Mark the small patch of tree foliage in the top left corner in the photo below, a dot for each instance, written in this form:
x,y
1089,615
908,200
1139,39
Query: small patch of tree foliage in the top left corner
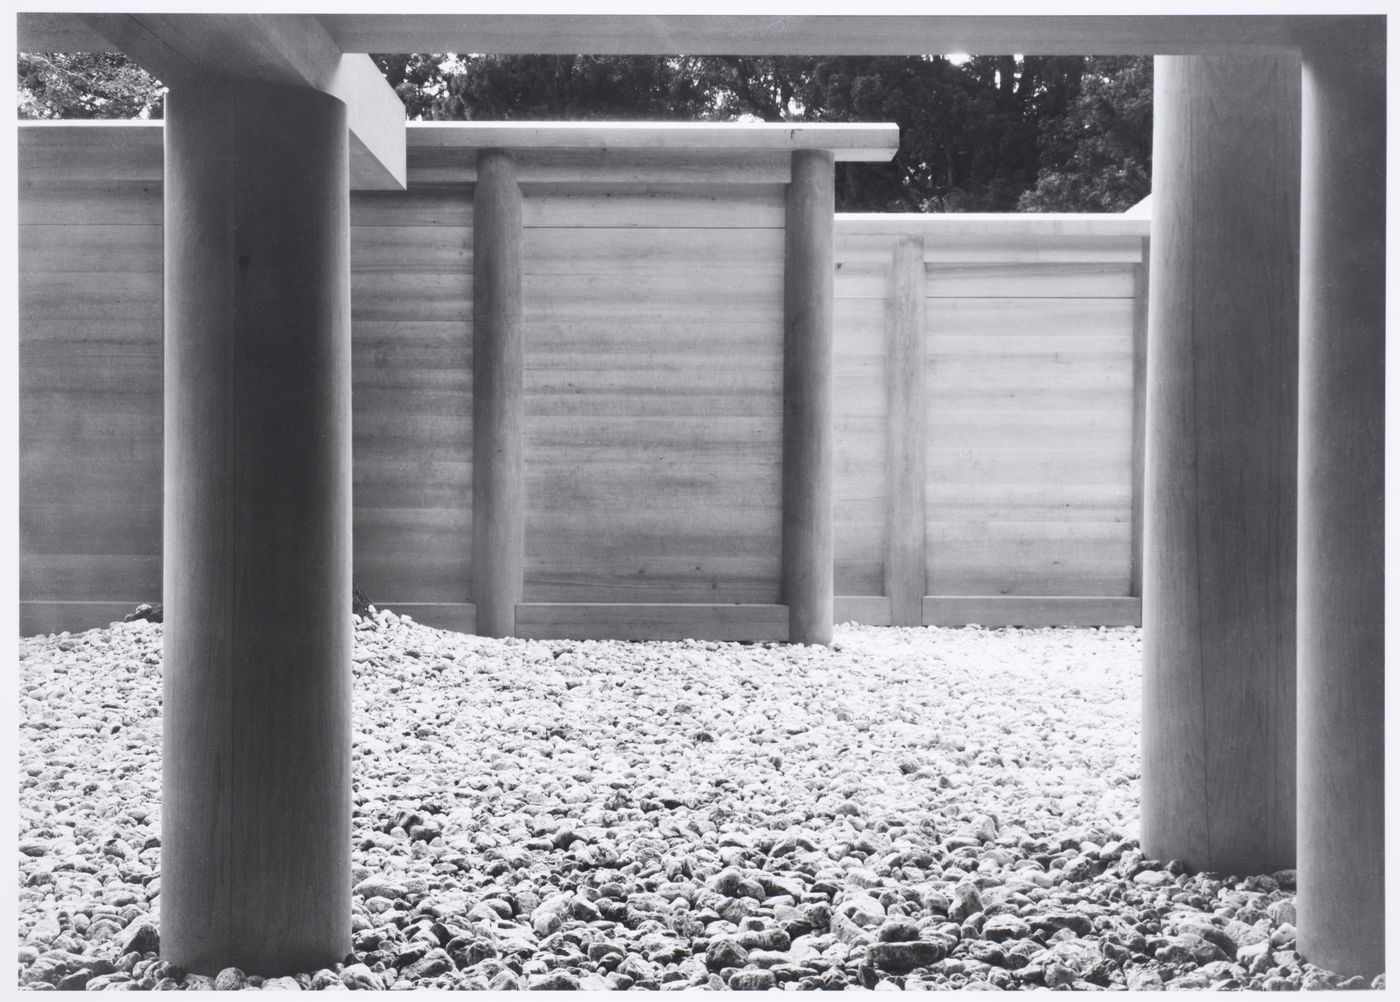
x,y
86,86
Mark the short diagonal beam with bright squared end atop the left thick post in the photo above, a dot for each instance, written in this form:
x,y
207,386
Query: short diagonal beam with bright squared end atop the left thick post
x,y
283,50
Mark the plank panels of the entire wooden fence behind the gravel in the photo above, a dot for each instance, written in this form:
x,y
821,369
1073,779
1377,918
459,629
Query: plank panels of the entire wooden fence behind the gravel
x,y
988,475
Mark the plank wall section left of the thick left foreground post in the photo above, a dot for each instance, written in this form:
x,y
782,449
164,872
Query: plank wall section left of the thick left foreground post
x,y
90,377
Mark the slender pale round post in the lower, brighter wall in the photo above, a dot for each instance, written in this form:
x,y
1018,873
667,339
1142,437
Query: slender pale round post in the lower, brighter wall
x,y
905,457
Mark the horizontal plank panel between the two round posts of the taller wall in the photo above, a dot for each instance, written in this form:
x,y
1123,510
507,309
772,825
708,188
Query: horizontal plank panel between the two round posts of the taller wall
x,y
653,393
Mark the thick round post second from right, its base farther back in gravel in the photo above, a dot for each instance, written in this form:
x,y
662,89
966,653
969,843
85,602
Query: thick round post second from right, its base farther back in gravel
x,y
1219,784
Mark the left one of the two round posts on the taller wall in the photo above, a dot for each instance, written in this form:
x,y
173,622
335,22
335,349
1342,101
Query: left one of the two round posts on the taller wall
x,y
498,397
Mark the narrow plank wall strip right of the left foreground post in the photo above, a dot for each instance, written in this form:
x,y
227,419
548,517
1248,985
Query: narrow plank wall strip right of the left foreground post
x,y
412,398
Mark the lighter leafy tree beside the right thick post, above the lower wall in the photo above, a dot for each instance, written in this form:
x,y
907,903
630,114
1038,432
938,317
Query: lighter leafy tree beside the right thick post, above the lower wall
x,y
1098,156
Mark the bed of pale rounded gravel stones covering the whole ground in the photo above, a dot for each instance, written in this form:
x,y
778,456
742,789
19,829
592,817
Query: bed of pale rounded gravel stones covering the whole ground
x,y
905,810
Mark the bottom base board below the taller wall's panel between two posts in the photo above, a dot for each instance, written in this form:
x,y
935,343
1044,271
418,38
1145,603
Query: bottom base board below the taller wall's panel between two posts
x,y
598,621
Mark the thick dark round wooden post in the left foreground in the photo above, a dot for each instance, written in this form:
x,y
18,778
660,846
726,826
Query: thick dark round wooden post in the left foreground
x,y
255,853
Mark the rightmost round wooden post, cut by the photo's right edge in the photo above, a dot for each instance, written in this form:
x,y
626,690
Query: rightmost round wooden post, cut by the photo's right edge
x,y
1342,503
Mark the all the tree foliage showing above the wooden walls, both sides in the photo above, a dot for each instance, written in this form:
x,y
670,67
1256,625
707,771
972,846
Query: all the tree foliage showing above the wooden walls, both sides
x,y
985,134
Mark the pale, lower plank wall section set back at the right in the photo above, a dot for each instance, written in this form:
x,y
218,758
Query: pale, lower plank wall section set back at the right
x,y
1030,416
